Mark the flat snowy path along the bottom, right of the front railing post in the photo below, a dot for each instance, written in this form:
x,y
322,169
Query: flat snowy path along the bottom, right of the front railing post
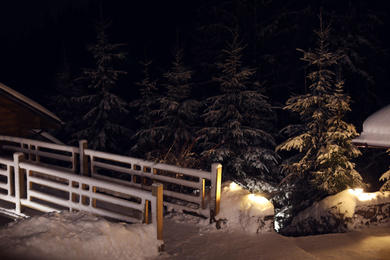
x,y
184,240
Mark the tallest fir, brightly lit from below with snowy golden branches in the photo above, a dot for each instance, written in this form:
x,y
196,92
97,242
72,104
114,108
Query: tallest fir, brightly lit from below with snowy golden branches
x,y
325,146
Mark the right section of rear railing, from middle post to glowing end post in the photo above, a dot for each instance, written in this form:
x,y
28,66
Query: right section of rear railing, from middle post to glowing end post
x,y
185,189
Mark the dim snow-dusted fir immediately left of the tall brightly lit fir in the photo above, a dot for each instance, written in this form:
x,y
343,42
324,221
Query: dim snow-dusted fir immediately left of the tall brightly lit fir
x,y
236,121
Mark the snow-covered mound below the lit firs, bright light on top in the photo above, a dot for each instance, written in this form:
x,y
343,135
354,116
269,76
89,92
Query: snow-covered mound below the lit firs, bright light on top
x,y
347,210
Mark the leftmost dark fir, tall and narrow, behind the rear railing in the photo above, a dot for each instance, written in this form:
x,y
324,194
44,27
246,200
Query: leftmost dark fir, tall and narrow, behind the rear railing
x,y
105,111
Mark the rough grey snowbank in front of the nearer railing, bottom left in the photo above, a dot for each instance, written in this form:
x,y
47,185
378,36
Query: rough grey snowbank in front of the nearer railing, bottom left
x,y
69,235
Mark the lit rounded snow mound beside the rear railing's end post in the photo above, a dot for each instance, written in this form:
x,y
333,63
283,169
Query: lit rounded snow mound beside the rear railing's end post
x,y
241,209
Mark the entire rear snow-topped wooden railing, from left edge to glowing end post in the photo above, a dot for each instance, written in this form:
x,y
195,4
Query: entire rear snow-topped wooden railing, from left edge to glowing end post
x,y
187,190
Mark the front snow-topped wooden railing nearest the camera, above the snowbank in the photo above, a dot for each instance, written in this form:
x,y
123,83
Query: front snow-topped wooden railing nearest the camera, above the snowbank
x,y
28,184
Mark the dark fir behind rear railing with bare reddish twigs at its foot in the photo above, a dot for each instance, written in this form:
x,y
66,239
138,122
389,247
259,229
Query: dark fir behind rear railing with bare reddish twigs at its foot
x,y
175,130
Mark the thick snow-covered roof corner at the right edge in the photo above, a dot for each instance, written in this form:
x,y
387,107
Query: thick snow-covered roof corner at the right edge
x,y
376,130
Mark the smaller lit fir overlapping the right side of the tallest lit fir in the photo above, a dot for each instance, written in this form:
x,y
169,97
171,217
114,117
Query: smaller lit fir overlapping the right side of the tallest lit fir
x,y
336,171
